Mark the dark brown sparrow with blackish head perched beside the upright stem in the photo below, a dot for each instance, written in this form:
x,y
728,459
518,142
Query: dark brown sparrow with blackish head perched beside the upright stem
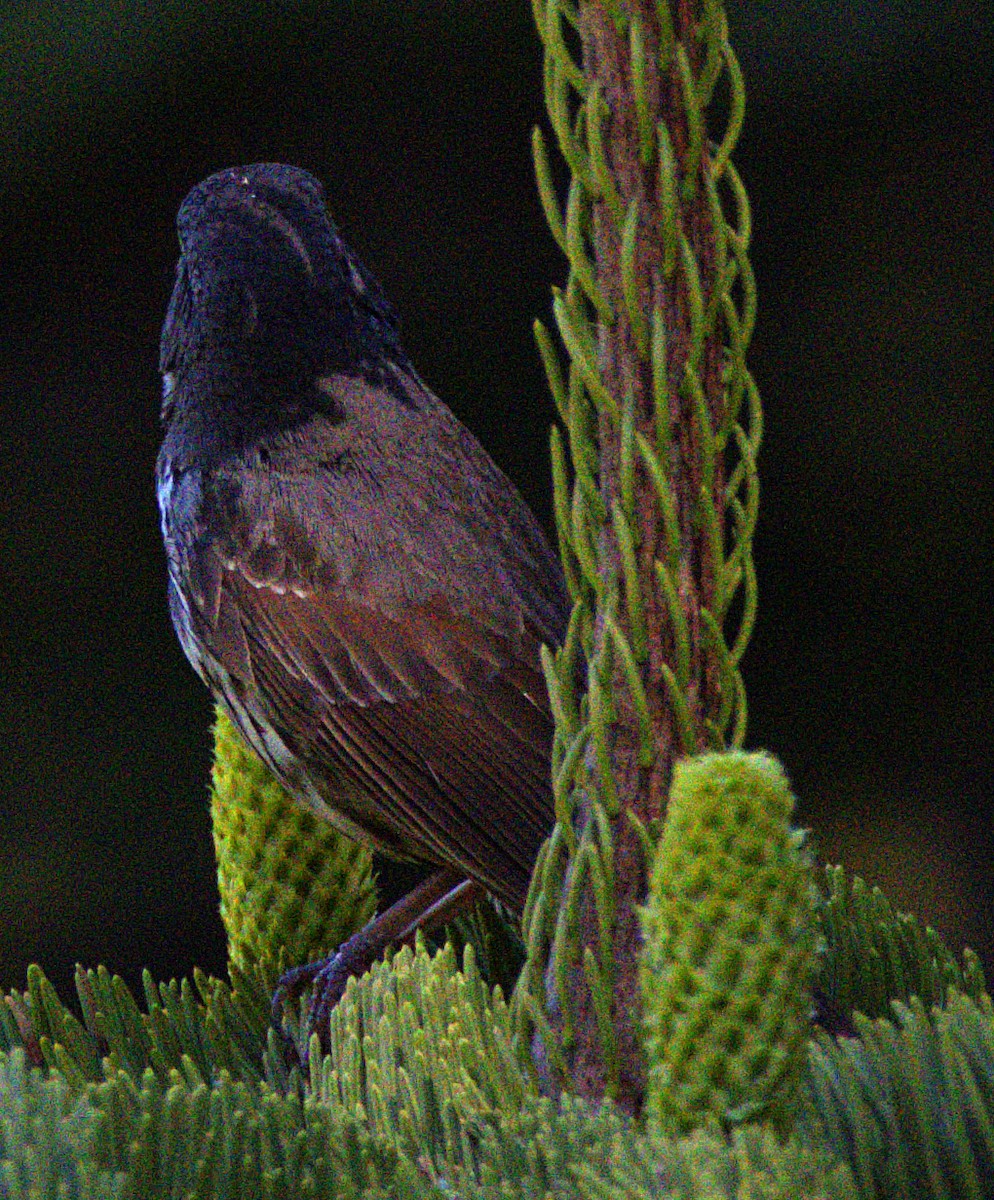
x,y
350,573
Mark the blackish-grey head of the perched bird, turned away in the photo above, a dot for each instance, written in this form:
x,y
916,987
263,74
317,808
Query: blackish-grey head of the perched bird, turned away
x,y
265,273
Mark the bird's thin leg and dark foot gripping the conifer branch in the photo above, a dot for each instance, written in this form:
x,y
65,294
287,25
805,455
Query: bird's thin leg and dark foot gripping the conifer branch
x,y
435,902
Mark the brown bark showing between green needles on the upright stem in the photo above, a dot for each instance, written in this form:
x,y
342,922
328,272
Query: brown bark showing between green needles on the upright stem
x,y
643,790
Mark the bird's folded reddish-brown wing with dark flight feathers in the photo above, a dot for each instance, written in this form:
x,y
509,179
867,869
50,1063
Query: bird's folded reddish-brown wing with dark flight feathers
x,y
439,719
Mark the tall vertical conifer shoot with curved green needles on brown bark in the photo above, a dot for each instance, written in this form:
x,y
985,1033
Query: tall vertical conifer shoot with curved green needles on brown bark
x,y
656,491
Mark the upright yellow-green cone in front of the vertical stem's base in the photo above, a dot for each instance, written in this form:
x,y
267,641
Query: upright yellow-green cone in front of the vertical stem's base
x,y
729,949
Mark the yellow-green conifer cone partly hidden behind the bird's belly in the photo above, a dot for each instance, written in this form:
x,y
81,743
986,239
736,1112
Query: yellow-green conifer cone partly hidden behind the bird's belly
x,y
288,879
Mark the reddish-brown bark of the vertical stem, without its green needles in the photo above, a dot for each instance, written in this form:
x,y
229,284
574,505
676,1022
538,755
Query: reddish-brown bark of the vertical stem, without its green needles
x,y
634,284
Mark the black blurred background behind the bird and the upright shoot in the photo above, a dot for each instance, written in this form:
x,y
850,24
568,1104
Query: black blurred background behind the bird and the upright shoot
x,y
869,158
